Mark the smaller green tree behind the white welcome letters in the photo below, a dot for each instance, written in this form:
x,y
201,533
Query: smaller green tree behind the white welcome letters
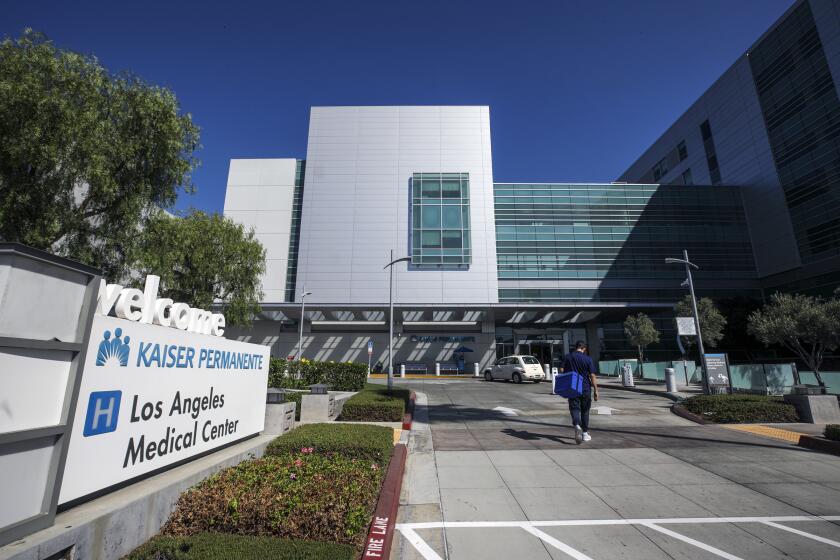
x,y
204,260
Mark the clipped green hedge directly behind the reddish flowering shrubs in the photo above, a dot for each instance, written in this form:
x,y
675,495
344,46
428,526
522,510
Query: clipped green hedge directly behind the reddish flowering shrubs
x,y
351,441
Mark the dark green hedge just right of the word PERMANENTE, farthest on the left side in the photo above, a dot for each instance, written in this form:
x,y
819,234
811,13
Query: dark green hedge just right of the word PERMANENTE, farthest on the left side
x,y
340,376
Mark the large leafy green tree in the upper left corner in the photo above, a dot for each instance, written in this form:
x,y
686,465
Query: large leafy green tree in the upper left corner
x,y
85,155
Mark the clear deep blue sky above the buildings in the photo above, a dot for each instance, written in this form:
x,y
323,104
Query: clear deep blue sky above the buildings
x,y
577,88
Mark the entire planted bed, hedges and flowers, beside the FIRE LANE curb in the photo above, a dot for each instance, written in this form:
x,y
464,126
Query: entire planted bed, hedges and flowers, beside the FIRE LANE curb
x,y
319,482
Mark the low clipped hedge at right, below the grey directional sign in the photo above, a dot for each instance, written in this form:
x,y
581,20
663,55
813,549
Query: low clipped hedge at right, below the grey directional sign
x,y
736,409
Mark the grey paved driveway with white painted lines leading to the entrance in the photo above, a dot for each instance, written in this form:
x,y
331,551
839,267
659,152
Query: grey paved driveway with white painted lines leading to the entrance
x,y
494,472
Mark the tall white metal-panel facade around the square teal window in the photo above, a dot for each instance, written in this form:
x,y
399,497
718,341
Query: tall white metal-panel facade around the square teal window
x,y
356,204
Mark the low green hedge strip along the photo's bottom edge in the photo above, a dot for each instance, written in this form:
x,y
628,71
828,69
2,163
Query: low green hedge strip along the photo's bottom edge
x,y
218,546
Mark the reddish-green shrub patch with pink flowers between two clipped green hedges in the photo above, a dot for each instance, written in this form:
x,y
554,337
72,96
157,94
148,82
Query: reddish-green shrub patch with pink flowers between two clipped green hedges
x,y
299,495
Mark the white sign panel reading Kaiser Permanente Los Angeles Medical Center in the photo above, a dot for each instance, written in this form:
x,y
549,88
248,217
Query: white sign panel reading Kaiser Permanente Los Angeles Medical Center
x,y
152,396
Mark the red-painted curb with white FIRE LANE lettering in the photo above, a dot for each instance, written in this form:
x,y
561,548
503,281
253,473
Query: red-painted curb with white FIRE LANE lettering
x,y
381,532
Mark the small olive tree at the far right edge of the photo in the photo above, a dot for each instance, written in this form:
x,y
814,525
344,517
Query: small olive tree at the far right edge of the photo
x,y
805,325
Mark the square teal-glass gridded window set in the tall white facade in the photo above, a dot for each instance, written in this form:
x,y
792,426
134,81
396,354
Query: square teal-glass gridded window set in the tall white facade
x,y
440,217
